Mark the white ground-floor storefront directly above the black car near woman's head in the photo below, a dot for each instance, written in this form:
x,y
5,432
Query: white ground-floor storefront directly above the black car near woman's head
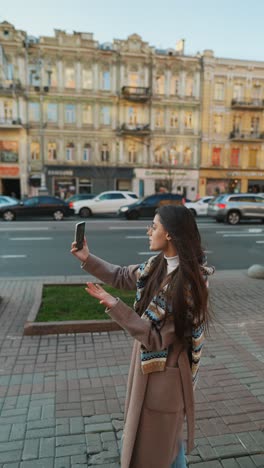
x,y
149,181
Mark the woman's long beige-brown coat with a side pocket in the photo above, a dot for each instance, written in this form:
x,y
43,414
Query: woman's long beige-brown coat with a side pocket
x,y
156,403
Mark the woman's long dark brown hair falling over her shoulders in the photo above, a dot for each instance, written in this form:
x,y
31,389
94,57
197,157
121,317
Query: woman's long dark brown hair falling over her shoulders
x,y
186,292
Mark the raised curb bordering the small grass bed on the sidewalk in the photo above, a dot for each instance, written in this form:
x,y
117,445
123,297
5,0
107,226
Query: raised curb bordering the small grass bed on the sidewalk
x,y
71,326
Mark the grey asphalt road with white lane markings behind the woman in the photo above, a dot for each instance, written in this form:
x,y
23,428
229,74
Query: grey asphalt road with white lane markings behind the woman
x,y
41,248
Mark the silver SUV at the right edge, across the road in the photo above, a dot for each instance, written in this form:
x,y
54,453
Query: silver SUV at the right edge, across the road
x,y
233,207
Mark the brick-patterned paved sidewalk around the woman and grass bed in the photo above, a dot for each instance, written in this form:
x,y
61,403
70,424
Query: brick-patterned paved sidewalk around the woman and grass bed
x,y
62,397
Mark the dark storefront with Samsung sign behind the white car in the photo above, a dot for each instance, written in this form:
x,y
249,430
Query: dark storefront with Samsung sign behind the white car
x,y
63,181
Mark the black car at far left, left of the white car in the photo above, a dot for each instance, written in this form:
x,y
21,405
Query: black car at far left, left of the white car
x,y
43,205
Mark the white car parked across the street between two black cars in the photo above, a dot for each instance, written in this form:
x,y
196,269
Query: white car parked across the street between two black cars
x,y
104,203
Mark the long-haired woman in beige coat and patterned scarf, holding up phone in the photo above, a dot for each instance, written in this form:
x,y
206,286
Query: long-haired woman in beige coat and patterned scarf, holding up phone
x,y
168,322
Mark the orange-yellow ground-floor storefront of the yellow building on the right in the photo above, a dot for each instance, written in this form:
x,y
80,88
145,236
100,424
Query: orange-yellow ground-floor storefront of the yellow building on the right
x,y
216,182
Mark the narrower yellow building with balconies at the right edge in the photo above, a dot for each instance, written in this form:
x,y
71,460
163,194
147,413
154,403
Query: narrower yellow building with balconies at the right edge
x,y
232,126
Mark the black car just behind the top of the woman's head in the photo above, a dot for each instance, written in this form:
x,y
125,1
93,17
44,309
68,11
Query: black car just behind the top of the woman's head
x,y
147,206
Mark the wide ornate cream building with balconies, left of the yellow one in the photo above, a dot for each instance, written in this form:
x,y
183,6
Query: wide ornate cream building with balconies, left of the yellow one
x,y
79,116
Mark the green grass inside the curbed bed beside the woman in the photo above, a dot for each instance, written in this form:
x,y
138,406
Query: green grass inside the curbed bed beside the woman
x,y
61,303
